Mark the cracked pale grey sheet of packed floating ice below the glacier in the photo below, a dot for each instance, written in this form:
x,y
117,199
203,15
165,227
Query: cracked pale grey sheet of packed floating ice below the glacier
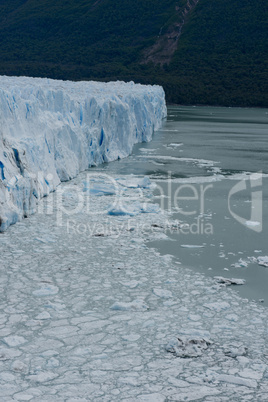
x,y
89,312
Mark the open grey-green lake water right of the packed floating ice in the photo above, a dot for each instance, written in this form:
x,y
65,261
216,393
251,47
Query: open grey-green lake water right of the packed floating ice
x,y
202,153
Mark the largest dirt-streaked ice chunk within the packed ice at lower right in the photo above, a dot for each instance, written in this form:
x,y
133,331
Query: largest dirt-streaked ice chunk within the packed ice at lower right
x,y
188,347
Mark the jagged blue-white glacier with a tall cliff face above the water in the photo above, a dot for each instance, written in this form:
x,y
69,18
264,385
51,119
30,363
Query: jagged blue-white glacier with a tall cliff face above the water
x,y
52,130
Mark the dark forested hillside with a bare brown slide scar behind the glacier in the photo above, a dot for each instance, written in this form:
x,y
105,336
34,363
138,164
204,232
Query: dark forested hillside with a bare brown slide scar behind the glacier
x,y
201,51
